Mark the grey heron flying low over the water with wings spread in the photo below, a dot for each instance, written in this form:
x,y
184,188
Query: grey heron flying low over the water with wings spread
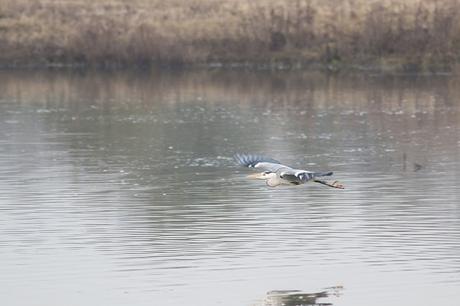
x,y
275,173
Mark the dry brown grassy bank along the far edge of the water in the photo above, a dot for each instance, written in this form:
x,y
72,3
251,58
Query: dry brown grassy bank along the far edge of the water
x,y
394,34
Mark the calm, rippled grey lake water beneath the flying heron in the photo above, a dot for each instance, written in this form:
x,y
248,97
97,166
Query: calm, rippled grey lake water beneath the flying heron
x,y
120,189
